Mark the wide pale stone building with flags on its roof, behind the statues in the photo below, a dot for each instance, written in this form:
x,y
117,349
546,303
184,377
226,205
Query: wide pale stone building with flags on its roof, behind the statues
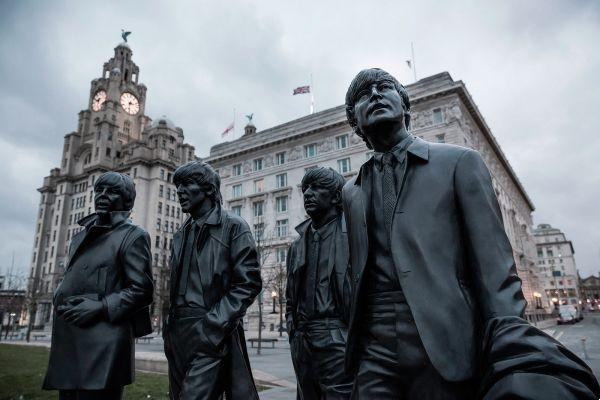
x,y
261,171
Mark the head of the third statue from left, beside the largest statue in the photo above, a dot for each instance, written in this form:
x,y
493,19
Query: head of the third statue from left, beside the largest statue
x,y
322,189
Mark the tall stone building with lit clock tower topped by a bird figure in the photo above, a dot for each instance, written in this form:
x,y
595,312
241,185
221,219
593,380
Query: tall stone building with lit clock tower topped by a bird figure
x,y
113,133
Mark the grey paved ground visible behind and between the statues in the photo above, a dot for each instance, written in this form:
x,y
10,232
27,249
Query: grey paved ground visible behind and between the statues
x,y
273,367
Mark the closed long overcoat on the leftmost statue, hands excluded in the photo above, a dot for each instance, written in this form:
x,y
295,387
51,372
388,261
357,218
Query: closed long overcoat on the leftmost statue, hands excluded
x,y
111,262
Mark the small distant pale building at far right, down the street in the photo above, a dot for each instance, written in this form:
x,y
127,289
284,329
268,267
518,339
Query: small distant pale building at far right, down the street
x,y
556,263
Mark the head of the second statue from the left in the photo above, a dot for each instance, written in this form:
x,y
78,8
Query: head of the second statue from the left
x,y
196,183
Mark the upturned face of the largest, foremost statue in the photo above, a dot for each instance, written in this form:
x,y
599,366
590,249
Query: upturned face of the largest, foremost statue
x,y
379,102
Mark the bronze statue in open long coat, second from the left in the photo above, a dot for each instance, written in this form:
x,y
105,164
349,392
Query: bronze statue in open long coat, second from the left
x,y
215,276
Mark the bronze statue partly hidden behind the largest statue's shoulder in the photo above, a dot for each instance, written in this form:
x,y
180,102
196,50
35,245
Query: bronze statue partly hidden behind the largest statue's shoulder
x,y
317,291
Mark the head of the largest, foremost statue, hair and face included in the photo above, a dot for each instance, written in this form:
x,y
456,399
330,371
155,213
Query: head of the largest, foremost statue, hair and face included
x,y
375,97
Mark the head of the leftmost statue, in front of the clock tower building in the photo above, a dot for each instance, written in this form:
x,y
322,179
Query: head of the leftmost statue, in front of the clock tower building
x,y
113,191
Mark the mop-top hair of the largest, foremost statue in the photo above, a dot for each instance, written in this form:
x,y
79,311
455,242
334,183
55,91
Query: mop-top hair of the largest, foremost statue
x,y
364,79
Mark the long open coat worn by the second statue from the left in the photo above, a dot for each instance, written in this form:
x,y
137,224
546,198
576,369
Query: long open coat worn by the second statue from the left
x,y
231,280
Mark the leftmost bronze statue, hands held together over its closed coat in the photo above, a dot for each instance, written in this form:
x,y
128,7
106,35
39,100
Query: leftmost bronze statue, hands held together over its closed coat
x,y
103,301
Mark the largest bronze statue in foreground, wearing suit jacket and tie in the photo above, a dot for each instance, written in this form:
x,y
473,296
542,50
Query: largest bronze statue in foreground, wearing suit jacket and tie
x,y
433,270
